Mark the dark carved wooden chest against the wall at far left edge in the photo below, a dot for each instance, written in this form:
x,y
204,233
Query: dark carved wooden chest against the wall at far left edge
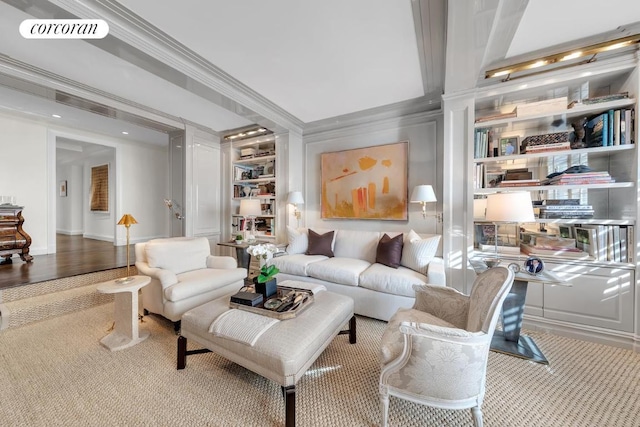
x,y
13,239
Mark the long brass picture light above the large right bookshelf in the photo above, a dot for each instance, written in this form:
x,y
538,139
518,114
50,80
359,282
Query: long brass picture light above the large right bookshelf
x,y
558,58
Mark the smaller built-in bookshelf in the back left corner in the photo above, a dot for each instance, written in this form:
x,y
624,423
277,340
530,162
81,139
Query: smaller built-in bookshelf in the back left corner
x,y
253,172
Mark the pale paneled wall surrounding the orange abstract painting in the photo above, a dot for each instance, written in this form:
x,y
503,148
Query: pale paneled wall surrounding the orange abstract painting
x,y
422,135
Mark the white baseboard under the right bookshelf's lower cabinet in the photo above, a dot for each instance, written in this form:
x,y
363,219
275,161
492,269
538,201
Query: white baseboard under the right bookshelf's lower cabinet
x,y
626,340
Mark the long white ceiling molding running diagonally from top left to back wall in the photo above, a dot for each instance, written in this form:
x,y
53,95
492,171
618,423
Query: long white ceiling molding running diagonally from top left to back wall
x,y
138,33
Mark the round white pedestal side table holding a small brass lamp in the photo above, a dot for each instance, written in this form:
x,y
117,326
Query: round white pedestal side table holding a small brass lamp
x,y
125,332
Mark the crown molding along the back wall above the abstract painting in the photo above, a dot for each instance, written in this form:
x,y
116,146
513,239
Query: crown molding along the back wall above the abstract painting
x,y
429,103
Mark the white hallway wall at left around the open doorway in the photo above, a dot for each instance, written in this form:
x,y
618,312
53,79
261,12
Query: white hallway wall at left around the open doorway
x,y
140,182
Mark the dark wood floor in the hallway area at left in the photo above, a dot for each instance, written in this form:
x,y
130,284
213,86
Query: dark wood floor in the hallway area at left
x,y
75,255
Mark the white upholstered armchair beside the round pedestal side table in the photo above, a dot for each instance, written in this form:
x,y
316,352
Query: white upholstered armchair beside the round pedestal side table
x,y
184,275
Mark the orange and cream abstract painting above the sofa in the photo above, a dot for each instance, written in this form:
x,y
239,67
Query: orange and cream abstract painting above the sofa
x,y
365,183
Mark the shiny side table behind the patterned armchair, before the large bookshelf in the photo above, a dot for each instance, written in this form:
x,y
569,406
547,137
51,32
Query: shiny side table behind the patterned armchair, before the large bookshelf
x,y
509,340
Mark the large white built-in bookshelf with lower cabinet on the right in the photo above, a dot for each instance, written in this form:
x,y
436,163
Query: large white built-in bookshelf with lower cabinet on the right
x,y
575,151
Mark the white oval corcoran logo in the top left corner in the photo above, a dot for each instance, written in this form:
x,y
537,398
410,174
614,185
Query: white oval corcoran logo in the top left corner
x,y
64,29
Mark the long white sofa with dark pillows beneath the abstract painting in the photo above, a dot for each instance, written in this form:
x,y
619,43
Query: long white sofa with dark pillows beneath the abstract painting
x,y
377,290
